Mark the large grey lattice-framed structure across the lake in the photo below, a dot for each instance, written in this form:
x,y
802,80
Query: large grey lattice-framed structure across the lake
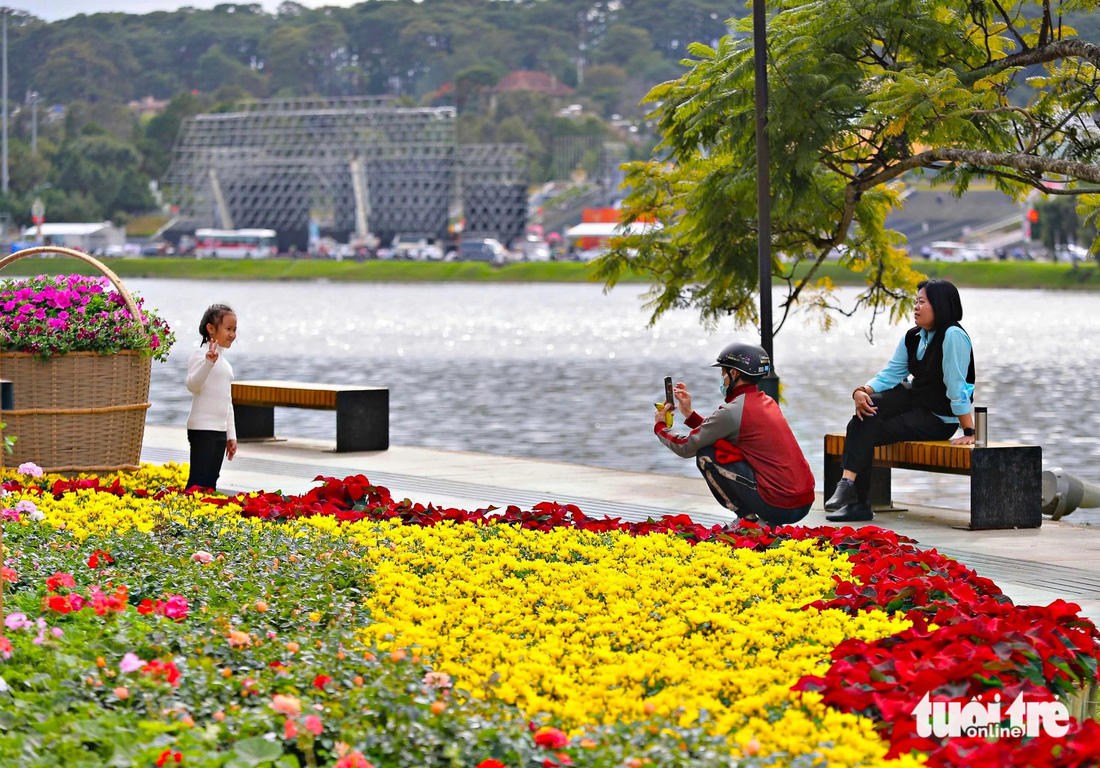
x,y
354,166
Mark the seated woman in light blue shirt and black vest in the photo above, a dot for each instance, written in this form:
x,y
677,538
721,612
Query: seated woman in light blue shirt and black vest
x,y
925,393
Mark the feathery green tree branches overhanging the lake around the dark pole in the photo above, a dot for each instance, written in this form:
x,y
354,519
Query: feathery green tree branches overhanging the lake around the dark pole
x,y
862,93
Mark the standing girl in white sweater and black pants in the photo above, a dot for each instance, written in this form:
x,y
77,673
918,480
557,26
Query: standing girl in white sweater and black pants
x,y
211,429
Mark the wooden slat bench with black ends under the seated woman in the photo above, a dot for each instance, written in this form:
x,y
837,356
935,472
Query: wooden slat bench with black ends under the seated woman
x,y
1006,478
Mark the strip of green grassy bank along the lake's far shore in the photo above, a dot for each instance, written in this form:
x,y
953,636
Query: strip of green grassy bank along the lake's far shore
x,y
984,275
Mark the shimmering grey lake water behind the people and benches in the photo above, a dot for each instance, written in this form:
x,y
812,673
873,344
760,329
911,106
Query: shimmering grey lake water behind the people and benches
x,y
569,374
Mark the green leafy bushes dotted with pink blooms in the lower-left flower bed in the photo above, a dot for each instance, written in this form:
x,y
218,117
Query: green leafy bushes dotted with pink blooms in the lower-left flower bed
x,y
69,699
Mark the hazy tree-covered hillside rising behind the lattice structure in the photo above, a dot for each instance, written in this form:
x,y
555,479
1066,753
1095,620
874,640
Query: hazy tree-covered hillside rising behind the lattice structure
x,y
96,156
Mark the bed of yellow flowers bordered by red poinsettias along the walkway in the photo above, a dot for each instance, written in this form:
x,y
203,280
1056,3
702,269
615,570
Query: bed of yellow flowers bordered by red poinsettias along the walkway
x,y
722,637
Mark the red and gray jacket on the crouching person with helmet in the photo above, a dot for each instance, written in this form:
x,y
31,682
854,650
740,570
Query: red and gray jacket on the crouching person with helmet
x,y
751,427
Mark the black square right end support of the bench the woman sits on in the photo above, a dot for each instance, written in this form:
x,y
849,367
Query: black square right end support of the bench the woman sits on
x,y
1007,488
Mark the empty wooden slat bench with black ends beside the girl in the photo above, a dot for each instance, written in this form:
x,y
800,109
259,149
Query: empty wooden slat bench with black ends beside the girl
x,y
362,412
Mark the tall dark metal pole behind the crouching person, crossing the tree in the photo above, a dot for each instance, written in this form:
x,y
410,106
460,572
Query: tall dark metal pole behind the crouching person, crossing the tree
x,y
771,385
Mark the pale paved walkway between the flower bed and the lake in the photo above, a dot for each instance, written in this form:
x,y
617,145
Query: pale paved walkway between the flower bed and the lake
x,y
1032,567
